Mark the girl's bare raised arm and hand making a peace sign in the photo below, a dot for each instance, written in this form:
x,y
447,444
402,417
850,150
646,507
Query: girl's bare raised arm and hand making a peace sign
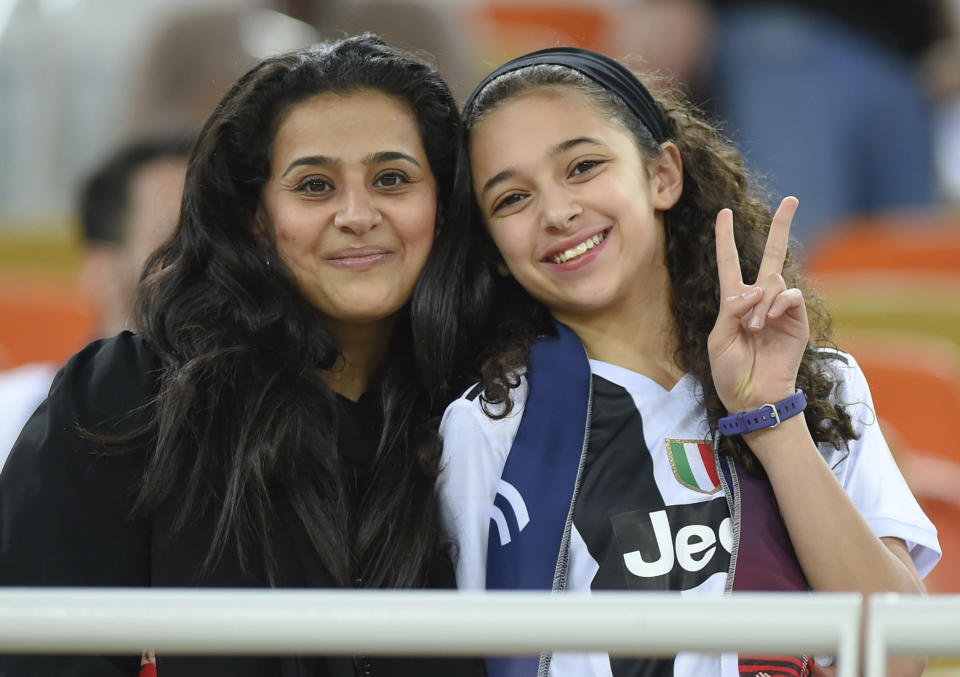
x,y
755,351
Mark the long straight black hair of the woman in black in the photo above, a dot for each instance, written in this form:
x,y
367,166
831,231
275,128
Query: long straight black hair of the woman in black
x,y
243,415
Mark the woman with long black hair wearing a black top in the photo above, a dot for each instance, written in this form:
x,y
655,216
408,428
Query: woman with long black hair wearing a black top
x,y
268,425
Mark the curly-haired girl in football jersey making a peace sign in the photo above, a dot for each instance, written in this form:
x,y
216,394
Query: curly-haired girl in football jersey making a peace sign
x,y
659,408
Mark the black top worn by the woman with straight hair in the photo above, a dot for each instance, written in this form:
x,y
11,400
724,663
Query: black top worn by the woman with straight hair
x,y
64,521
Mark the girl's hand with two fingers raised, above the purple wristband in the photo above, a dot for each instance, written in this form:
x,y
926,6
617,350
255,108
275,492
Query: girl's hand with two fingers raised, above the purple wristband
x,y
761,331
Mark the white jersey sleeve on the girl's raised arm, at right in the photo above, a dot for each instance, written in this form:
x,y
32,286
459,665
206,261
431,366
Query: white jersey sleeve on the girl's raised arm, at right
x,y
871,477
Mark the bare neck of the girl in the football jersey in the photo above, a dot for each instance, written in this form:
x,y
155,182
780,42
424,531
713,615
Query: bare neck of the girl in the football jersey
x,y
642,339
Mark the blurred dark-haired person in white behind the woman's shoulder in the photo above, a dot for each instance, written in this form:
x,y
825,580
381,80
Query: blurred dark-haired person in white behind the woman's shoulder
x,y
127,207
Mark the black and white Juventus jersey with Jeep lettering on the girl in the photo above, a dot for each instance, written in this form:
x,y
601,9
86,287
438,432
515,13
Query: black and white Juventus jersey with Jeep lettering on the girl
x,y
651,513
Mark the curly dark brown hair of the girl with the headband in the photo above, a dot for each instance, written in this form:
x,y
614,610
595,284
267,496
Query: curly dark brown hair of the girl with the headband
x,y
714,177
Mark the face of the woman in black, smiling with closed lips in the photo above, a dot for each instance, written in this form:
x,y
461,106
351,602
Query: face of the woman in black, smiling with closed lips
x,y
352,203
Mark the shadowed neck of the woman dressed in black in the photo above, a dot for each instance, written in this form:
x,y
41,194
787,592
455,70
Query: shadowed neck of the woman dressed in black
x,y
363,349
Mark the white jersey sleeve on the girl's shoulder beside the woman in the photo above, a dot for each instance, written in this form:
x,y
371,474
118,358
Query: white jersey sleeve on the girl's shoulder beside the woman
x,y
475,449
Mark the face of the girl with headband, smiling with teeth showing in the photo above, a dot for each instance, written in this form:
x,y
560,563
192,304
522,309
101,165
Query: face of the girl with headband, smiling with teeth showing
x,y
571,205
